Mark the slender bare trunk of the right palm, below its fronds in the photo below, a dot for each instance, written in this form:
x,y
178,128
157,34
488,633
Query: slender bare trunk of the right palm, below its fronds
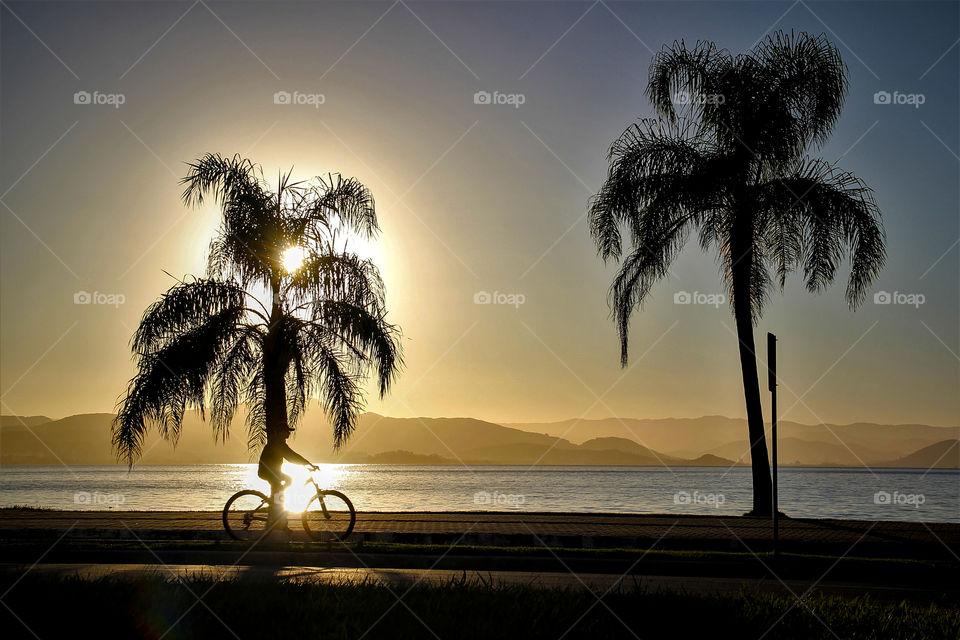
x,y
760,464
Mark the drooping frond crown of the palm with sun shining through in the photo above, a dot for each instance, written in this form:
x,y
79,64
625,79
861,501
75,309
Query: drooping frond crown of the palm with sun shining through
x,y
285,311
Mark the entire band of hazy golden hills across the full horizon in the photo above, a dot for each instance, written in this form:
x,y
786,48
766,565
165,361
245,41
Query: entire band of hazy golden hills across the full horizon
x,y
85,439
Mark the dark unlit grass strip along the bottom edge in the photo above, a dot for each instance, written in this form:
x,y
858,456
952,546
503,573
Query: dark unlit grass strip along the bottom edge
x,y
157,608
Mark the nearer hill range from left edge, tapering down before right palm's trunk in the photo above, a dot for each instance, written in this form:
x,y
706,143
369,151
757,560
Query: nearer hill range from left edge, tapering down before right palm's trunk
x,y
86,439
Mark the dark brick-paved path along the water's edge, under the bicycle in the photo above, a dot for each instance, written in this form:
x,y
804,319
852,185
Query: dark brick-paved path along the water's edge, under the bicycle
x,y
523,529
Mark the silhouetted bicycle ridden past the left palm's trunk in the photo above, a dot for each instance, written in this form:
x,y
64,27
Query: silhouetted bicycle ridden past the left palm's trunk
x,y
328,517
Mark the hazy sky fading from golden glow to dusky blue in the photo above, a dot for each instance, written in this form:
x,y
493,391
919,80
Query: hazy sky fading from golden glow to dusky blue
x,y
471,197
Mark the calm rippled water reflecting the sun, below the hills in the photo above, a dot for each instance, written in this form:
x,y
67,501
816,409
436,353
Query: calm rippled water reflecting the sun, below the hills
x,y
847,493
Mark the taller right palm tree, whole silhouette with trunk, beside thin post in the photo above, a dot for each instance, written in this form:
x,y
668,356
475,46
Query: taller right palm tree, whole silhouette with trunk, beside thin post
x,y
731,163
